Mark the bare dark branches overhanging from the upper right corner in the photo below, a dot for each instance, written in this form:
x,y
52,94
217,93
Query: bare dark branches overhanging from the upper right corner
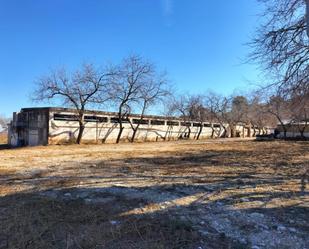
x,y
281,45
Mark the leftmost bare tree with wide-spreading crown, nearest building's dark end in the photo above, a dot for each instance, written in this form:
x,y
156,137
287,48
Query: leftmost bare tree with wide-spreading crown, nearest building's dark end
x,y
76,90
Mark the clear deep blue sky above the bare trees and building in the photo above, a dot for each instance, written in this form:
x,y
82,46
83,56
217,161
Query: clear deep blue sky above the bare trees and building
x,y
201,43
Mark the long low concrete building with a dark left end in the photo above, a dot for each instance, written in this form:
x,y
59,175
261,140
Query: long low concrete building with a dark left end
x,y
47,125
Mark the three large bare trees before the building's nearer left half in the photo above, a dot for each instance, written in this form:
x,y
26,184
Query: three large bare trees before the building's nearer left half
x,y
134,84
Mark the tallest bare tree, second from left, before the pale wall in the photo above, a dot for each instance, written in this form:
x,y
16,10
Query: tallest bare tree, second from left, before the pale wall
x,y
127,85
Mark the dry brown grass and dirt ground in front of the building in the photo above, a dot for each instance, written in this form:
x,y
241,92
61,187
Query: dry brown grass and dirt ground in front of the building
x,y
185,194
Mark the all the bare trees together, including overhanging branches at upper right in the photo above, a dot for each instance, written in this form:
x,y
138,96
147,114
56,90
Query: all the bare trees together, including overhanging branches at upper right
x,y
281,44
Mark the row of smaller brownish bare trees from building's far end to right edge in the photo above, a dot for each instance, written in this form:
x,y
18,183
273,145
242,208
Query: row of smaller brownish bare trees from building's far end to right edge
x,y
256,111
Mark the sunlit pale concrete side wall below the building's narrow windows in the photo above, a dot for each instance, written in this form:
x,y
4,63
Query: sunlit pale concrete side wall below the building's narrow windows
x,y
61,131
